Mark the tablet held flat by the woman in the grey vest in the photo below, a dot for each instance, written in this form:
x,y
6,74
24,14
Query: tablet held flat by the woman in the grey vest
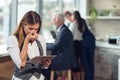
x,y
39,59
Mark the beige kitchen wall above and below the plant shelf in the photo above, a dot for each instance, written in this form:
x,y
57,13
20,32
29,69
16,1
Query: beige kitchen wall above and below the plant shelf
x,y
103,27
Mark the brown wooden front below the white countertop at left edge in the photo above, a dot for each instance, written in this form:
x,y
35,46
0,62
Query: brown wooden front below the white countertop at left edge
x,y
6,68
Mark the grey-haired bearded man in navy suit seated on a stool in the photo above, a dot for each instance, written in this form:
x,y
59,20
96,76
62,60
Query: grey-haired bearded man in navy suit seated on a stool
x,y
62,47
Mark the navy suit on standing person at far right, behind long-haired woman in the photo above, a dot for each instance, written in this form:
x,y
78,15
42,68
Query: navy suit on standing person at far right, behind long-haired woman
x,y
87,55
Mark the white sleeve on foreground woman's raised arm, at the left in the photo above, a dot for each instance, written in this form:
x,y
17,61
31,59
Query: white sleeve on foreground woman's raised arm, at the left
x,y
14,50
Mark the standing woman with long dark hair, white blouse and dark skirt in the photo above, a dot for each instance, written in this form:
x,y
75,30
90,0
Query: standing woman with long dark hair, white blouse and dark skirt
x,y
77,28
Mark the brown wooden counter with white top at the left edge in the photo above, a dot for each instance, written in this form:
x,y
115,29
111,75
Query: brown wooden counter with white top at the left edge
x,y
6,64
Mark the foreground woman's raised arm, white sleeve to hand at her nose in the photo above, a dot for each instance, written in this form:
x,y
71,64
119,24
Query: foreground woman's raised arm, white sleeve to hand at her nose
x,y
19,57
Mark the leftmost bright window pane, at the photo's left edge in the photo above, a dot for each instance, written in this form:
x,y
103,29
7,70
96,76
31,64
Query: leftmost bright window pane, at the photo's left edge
x,y
4,20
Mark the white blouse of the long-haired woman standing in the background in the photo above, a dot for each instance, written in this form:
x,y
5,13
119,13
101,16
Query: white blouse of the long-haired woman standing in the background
x,y
77,35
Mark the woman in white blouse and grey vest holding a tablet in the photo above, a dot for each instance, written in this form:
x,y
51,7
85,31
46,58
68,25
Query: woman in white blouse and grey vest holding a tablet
x,y
26,43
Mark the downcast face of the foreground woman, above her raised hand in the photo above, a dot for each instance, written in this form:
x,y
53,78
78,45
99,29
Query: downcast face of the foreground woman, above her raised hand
x,y
29,28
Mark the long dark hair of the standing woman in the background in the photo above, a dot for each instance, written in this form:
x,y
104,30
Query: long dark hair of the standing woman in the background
x,y
78,18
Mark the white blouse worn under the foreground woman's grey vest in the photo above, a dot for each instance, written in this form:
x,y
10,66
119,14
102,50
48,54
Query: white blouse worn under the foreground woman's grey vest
x,y
33,51
